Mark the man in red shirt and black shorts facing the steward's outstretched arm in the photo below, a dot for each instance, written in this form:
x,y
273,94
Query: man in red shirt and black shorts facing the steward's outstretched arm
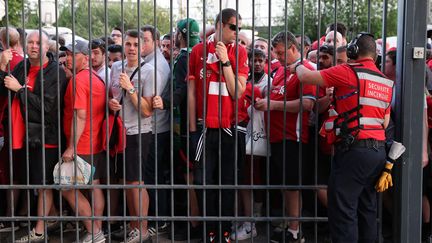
x,y
285,138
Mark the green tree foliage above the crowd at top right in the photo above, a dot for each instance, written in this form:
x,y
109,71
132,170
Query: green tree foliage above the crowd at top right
x,y
355,23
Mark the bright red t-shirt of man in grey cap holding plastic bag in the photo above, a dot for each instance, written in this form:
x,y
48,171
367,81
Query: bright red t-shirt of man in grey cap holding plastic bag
x,y
82,102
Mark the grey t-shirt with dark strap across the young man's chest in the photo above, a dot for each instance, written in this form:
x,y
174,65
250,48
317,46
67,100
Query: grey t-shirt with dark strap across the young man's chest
x,y
131,116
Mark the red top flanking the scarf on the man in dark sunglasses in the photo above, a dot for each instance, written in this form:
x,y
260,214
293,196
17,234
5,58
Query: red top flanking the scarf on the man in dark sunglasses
x,y
196,70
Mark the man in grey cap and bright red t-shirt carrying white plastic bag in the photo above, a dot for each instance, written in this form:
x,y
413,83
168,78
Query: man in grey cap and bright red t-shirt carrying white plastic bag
x,y
84,138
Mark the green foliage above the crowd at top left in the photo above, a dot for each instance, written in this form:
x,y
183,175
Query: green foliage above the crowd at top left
x,y
114,16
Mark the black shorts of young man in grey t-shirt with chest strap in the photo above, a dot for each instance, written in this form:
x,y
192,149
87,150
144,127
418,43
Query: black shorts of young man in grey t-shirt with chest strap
x,y
133,161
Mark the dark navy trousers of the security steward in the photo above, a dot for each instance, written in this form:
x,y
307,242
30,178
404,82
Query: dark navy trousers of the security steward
x,y
352,198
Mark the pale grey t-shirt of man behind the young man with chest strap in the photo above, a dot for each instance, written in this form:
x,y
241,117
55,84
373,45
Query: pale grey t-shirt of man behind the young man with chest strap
x,y
160,117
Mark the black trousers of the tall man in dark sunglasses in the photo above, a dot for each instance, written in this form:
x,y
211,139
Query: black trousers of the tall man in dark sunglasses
x,y
209,166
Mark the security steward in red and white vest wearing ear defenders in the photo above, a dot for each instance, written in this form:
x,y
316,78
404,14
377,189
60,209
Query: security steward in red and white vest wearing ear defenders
x,y
362,102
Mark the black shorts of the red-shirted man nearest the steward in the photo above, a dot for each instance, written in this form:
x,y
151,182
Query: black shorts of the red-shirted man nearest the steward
x,y
290,174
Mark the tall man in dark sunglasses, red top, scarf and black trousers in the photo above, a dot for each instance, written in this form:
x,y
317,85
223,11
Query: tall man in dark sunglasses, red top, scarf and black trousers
x,y
222,89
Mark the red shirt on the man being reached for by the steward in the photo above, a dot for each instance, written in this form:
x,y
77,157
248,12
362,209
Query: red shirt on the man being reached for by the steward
x,y
291,91
